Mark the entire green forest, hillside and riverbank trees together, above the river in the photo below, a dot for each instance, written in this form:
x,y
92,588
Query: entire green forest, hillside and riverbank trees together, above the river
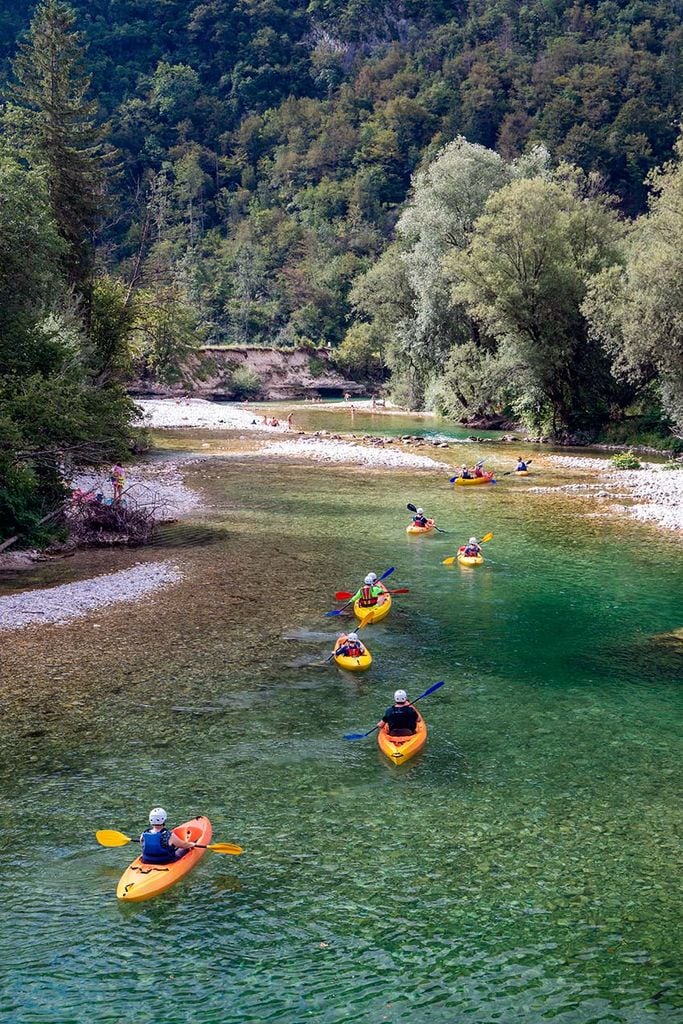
x,y
484,197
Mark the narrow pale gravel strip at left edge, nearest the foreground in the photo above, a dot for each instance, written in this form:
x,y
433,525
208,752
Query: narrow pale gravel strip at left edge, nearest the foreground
x,y
72,601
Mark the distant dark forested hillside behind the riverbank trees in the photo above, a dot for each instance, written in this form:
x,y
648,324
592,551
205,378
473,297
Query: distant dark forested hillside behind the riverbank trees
x,y
267,148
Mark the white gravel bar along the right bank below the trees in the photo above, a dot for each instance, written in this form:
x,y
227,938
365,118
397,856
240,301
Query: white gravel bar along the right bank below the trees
x,y
657,493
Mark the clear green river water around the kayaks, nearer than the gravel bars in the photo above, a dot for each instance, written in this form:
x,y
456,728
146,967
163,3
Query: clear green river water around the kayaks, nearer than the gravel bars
x,y
526,868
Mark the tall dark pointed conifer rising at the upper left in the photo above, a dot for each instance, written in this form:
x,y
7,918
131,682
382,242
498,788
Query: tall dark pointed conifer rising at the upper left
x,y
63,136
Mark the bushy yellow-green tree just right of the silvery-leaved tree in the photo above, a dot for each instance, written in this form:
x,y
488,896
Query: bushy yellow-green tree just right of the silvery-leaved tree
x,y
524,279
